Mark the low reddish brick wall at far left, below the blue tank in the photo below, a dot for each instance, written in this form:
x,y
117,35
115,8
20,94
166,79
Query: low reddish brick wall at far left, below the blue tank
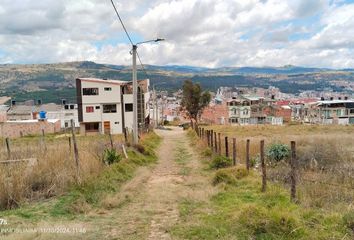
x,y
14,129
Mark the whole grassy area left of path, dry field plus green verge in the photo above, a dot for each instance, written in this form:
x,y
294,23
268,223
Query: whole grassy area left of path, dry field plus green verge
x,y
54,173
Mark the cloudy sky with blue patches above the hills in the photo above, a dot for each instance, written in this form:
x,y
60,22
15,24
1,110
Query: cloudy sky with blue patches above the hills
x,y
204,33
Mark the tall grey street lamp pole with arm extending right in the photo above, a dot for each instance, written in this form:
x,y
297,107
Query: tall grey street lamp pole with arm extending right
x,y
135,89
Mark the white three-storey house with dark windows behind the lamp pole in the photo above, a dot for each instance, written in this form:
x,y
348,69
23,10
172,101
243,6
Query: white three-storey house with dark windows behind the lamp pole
x,y
106,106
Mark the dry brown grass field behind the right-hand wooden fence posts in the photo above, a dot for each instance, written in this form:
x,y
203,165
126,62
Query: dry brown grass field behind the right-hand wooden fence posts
x,y
325,155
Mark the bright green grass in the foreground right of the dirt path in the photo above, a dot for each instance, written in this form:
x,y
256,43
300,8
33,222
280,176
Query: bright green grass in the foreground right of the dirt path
x,y
241,211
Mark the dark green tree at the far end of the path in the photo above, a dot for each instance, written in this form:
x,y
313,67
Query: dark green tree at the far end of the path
x,y
194,99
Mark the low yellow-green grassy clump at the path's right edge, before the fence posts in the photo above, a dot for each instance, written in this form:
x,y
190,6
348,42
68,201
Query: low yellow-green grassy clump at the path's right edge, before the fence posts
x,y
229,175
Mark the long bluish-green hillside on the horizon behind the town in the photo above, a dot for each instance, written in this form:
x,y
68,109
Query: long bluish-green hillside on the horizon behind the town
x,y
51,82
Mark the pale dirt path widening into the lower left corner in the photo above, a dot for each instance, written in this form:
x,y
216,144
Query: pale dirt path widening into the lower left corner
x,y
147,206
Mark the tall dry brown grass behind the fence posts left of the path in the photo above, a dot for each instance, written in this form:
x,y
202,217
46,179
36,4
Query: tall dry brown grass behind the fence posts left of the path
x,y
53,172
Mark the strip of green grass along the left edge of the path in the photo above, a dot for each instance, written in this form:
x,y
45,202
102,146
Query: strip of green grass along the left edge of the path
x,y
82,197
